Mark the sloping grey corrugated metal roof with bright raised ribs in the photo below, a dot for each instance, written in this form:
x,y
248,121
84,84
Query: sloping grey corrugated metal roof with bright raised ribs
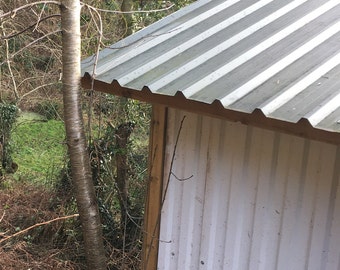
x,y
278,57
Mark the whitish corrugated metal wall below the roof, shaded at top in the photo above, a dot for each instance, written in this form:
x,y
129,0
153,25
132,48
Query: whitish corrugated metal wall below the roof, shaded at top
x,y
241,197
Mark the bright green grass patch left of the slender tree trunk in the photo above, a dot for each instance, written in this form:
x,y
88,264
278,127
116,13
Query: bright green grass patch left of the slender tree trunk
x,y
38,148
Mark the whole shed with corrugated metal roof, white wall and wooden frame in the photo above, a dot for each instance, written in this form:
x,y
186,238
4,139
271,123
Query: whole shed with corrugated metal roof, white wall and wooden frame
x,y
245,132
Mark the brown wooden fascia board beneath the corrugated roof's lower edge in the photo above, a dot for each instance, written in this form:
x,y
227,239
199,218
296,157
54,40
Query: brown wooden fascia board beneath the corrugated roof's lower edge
x,y
257,118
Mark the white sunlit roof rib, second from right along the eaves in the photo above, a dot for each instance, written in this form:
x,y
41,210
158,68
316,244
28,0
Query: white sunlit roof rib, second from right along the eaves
x,y
302,84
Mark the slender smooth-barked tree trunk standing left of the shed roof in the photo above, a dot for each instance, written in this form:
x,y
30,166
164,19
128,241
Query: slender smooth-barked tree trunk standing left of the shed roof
x,y
76,141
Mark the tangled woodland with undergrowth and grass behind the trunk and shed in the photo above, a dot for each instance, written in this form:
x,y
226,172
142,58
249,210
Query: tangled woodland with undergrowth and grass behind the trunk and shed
x,y
116,130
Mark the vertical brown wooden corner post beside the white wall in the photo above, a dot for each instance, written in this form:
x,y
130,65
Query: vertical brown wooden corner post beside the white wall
x,y
155,186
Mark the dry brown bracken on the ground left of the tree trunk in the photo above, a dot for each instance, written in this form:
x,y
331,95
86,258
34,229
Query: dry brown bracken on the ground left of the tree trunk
x,y
43,247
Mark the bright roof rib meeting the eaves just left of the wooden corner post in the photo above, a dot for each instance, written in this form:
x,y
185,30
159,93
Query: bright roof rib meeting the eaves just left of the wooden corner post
x,y
223,46
